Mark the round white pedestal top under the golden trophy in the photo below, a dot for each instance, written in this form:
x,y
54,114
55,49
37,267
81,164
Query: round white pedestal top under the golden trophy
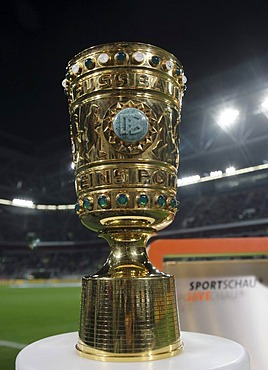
x,y
201,352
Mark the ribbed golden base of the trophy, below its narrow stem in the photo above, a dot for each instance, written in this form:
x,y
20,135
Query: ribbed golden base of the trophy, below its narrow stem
x,y
129,319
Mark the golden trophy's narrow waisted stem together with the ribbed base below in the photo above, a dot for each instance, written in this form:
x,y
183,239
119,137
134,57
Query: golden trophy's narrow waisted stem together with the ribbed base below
x,y
128,309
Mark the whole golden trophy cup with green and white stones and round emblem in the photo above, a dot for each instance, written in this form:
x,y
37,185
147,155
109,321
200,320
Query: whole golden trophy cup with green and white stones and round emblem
x,y
124,102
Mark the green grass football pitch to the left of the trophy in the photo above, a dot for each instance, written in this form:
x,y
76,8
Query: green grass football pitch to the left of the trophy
x,y
31,313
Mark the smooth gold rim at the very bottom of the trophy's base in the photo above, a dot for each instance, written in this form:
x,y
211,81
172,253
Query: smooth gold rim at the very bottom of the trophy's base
x,y
94,354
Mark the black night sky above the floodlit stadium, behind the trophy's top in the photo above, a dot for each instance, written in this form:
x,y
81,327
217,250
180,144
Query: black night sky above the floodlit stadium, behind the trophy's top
x,y
39,37
